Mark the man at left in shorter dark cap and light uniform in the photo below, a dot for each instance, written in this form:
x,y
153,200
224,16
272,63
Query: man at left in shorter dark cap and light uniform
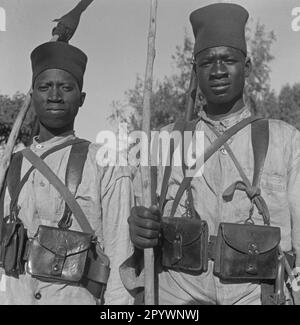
x,y
104,194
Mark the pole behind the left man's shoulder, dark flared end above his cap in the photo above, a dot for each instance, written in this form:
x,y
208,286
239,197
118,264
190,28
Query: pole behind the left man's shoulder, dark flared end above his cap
x,y
63,32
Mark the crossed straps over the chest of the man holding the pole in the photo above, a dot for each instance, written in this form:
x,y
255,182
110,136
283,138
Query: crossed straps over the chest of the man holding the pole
x,y
260,142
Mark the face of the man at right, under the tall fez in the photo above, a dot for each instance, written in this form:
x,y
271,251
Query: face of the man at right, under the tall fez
x,y
221,72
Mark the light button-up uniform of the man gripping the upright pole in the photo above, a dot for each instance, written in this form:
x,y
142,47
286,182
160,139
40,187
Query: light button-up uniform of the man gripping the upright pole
x,y
280,187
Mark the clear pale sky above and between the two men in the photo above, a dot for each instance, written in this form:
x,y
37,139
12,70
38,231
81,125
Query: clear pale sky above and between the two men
x,y
113,33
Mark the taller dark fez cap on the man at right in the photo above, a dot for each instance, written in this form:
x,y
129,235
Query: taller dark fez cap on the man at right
x,y
219,24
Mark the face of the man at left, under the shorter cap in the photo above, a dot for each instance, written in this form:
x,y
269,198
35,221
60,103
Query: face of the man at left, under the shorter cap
x,y
56,98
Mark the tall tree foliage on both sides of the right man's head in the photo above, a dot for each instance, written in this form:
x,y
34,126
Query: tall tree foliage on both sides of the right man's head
x,y
170,95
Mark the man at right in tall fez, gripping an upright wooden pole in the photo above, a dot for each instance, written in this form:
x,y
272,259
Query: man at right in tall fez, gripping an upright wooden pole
x,y
222,65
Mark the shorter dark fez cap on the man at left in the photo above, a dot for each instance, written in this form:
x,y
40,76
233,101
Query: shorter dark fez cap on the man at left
x,y
59,55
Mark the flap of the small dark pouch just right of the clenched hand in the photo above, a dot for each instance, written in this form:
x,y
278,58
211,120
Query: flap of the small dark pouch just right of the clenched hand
x,y
188,229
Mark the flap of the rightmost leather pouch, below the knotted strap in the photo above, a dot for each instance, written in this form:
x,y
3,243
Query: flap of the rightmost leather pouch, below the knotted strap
x,y
250,239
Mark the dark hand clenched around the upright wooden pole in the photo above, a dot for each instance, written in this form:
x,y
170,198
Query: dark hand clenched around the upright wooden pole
x,y
144,226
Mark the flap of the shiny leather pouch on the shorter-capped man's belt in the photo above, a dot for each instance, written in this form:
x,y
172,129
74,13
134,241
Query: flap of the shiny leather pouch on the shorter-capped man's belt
x,y
63,242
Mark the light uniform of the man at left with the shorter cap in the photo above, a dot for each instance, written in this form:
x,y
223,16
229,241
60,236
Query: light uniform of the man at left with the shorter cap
x,y
105,195
